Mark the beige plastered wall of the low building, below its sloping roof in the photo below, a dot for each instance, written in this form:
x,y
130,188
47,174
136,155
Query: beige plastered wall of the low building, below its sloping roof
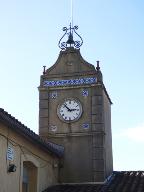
x,y
24,151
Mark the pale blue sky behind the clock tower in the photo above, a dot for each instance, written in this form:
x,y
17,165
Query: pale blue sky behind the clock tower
x,y
113,33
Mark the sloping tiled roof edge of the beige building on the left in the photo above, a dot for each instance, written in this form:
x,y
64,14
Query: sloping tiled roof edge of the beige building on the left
x,y
29,134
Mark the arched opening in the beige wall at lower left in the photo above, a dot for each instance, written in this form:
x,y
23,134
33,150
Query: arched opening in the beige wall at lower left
x,y
29,182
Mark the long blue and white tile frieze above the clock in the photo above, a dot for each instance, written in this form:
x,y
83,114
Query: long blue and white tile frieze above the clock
x,y
68,82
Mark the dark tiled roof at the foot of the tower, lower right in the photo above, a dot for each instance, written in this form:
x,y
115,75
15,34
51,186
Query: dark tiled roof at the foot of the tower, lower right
x,y
119,181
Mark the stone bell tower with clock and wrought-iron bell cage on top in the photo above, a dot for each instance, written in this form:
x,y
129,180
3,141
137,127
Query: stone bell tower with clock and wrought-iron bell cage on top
x,y
75,111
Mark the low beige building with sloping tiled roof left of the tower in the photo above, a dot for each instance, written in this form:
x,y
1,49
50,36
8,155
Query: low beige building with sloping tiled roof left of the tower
x,y
27,163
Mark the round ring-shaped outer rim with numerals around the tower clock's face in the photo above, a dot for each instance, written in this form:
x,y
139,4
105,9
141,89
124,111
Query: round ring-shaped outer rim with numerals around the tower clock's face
x,y
62,102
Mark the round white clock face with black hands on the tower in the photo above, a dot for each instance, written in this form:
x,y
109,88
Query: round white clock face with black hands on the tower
x,y
70,110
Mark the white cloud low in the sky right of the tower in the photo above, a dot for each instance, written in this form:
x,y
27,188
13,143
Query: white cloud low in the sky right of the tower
x,y
135,133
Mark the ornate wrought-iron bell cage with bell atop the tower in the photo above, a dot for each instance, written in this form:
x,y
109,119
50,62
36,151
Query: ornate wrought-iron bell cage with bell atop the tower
x,y
71,32
